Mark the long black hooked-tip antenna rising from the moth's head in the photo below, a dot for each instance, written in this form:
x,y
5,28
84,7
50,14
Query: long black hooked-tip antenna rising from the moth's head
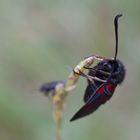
x,y
116,33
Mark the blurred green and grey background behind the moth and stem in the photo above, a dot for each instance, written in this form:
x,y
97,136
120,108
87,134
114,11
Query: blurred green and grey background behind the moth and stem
x,y
40,41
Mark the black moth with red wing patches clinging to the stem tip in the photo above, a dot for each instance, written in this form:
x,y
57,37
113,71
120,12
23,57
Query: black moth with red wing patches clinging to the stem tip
x,y
102,81
